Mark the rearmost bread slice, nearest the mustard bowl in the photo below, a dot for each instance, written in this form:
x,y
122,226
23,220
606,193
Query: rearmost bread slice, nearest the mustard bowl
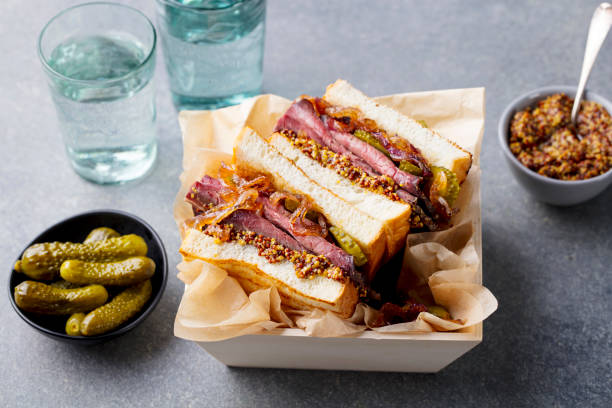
x,y
436,149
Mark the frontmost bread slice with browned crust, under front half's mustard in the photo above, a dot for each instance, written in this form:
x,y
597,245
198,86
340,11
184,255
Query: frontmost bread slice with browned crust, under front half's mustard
x,y
255,272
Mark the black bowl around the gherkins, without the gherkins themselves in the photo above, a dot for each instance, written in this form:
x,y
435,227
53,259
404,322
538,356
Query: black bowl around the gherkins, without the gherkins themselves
x,y
75,229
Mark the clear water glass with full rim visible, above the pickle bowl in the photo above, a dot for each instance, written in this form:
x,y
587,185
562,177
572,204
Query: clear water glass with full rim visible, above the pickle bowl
x,y
99,59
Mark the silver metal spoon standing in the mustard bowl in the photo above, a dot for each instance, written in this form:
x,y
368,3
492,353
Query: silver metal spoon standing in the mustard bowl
x,y
598,30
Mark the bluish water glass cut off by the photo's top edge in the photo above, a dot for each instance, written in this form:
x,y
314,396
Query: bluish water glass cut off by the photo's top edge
x,y
213,50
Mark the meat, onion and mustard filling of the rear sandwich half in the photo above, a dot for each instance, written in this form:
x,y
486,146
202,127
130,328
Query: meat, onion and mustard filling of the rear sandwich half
x,y
344,140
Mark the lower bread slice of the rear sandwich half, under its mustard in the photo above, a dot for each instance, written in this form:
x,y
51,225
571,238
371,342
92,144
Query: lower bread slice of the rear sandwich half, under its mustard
x,y
394,215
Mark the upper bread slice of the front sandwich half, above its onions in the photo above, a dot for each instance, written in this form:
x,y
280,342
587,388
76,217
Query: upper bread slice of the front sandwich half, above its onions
x,y
252,153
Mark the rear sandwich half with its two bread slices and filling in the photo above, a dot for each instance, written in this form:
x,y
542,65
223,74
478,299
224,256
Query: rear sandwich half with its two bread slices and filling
x,y
389,166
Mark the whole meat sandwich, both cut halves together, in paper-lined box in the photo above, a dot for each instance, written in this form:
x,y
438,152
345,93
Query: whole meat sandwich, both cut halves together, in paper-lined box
x,y
318,206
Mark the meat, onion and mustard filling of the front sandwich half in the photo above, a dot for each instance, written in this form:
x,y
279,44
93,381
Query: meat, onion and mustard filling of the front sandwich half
x,y
282,226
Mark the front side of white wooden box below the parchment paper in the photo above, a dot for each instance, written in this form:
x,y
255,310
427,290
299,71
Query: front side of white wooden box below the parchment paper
x,y
291,348
